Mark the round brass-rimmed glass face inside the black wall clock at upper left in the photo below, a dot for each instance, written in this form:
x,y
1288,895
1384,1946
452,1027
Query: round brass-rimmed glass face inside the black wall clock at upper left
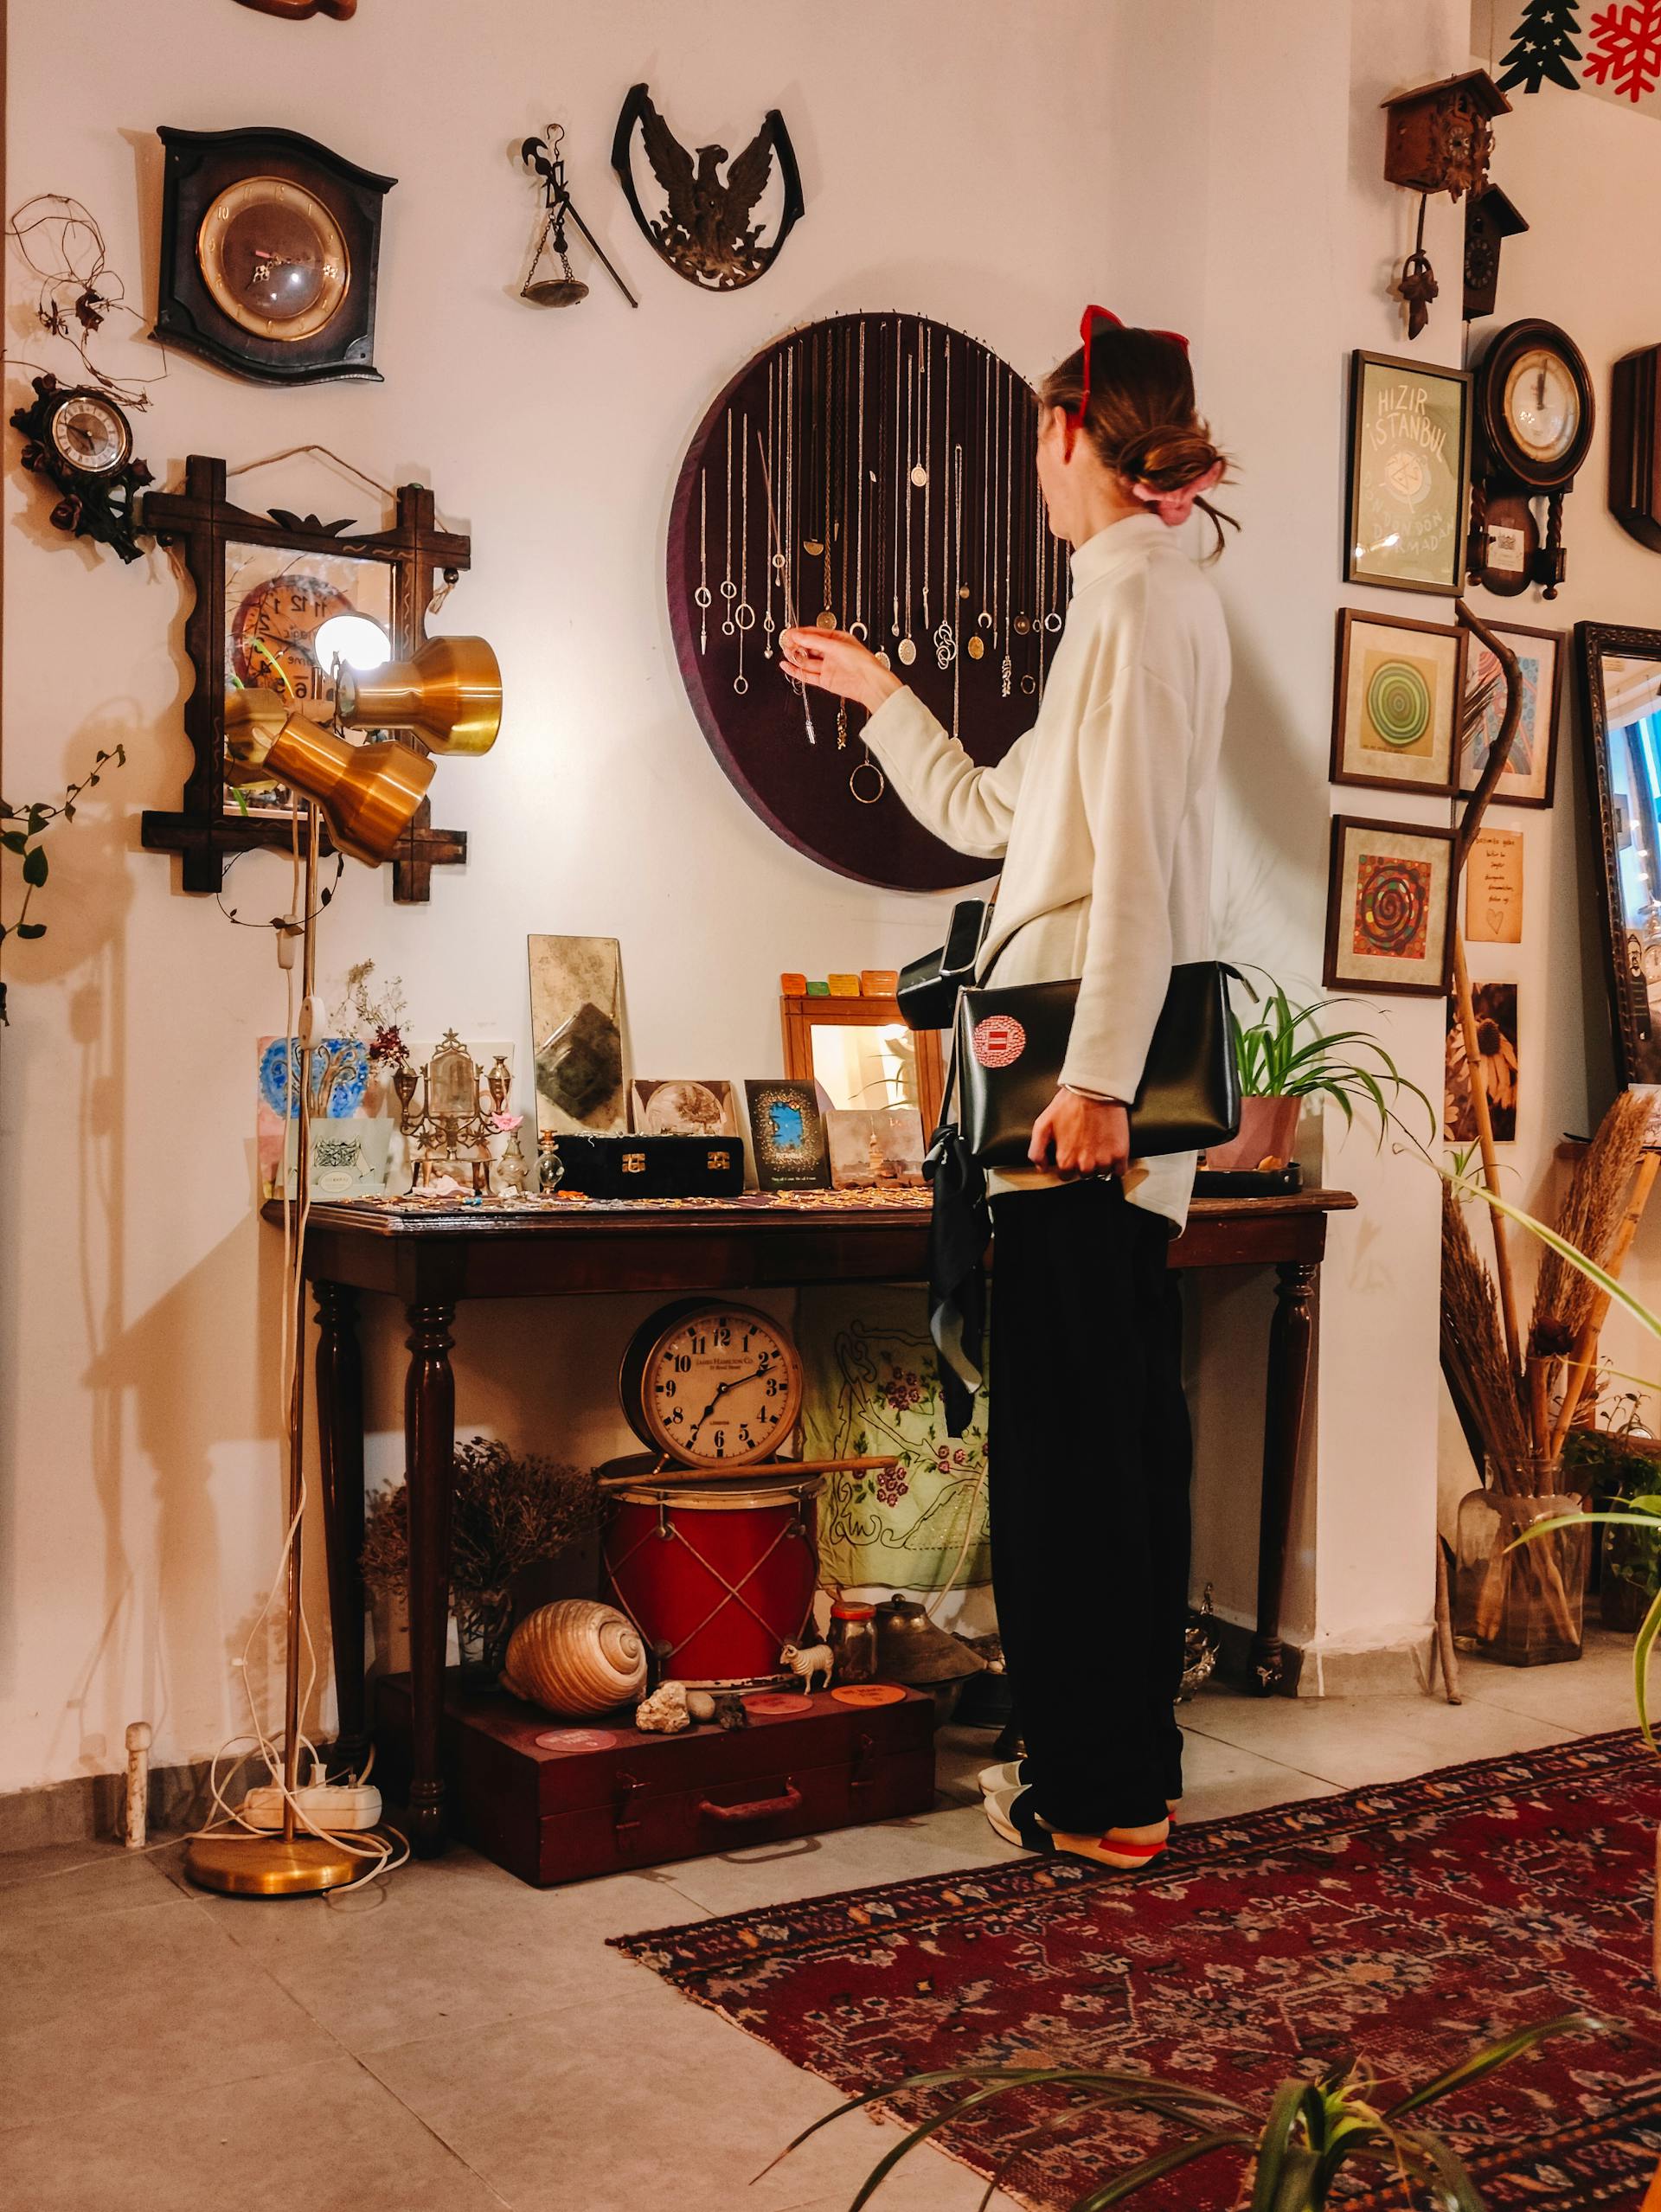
x,y
273,258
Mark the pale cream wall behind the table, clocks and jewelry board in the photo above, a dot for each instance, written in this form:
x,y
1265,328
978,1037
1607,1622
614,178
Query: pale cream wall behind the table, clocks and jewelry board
x,y
1189,163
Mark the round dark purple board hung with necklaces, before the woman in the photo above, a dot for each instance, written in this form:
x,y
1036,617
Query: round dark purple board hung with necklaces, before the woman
x,y
870,472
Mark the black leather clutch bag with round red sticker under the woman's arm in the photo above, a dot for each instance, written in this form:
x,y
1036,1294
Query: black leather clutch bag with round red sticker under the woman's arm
x,y
1012,1047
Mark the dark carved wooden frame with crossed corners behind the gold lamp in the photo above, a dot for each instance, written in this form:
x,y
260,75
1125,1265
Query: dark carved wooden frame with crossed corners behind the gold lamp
x,y
264,587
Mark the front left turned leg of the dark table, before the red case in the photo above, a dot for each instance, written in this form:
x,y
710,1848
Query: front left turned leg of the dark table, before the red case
x,y
430,1450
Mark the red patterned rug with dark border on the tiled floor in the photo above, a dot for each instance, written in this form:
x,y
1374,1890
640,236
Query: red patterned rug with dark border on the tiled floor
x,y
1401,1923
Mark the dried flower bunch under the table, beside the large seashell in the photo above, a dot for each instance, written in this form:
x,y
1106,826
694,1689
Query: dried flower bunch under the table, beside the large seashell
x,y
512,1512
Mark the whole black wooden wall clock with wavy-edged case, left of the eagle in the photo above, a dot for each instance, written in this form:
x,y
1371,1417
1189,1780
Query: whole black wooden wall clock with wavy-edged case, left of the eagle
x,y
269,255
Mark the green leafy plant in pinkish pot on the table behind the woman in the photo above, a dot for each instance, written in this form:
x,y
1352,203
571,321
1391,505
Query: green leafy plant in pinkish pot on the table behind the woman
x,y
1284,1058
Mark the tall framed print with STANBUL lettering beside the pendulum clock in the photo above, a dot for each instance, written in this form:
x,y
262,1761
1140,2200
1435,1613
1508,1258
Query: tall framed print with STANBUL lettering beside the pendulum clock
x,y
1410,474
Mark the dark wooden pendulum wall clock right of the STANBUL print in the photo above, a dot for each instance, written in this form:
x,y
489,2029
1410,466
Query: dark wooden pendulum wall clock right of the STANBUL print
x,y
1534,417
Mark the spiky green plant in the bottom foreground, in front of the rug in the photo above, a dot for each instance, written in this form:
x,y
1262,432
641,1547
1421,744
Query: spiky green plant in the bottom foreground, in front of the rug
x,y
1299,2149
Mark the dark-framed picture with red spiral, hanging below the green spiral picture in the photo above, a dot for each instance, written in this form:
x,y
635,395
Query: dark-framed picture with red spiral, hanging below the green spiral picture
x,y
1390,917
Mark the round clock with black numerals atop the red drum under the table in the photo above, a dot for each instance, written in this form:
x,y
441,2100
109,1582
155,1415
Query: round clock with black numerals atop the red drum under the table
x,y
720,1386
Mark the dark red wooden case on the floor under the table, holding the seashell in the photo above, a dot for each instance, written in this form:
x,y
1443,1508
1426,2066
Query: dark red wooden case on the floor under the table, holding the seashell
x,y
561,1802
